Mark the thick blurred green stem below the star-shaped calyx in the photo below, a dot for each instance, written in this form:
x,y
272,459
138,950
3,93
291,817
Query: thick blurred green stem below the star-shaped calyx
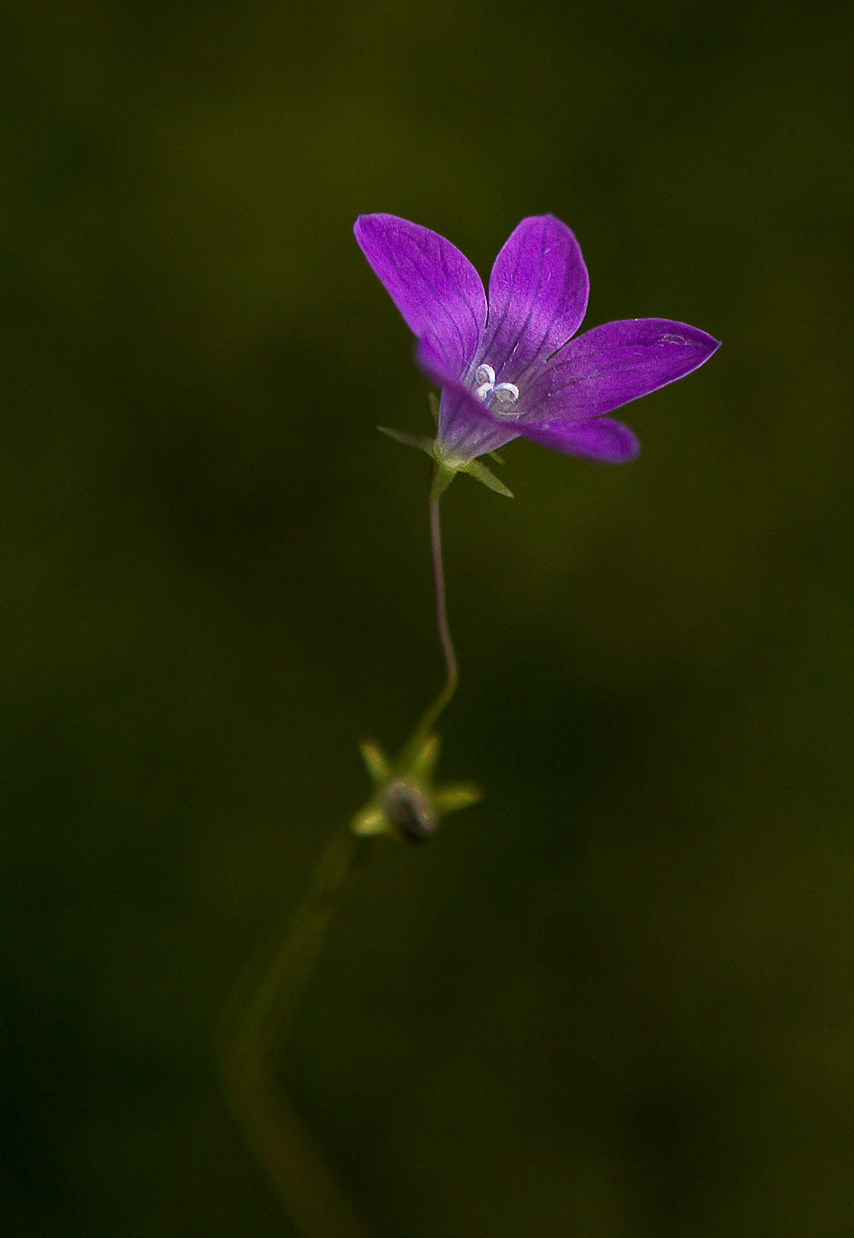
x,y
261,1022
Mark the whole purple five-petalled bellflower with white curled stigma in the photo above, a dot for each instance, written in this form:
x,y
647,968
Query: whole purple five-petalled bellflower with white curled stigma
x,y
511,366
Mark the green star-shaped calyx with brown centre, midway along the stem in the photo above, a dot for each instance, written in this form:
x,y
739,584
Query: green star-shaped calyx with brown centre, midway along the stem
x,y
405,803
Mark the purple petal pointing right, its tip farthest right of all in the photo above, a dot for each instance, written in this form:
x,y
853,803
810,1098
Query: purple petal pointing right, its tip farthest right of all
x,y
613,365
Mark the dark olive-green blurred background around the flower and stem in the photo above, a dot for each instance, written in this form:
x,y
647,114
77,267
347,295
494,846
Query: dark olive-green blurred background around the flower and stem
x,y
617,998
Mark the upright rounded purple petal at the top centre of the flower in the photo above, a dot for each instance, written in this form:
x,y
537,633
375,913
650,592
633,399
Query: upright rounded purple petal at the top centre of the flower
x,y
538,297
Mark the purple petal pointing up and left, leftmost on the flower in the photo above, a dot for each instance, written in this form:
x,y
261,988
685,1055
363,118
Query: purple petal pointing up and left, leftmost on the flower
x,y
435,287
